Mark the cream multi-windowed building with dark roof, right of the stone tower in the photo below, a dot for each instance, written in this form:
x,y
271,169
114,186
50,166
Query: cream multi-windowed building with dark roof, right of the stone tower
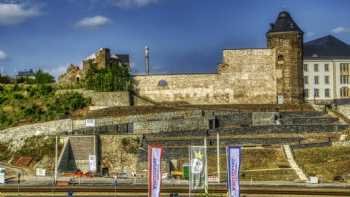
x,y
326,71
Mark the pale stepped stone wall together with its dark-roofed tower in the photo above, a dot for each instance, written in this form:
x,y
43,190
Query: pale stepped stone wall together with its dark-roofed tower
x,y
246,76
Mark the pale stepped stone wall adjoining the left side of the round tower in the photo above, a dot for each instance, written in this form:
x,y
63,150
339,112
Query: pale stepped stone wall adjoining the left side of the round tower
x,y
246,77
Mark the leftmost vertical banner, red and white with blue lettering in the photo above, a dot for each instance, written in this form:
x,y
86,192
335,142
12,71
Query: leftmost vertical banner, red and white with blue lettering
x,y
154,171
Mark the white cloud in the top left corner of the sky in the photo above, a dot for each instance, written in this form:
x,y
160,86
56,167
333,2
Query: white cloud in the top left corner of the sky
x,y
11,13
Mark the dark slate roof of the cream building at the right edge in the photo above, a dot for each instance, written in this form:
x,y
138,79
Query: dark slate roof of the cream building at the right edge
x,y
326,47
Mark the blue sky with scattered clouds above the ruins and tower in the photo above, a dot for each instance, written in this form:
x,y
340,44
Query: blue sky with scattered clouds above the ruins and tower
x,y
183,35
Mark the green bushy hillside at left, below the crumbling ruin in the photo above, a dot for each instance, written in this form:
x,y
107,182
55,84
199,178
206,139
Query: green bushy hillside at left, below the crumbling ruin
x,y
21,104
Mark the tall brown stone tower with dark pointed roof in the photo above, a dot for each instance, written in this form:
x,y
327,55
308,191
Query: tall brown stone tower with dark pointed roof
x,y
287,38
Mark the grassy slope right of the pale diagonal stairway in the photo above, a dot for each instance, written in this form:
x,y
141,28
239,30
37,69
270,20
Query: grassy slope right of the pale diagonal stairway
x,y
326,162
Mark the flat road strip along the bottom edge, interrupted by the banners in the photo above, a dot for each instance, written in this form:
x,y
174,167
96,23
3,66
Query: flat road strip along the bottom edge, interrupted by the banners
x,y
141,190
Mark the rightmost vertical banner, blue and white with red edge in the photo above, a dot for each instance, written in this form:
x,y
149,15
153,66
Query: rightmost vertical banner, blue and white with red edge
x,y
233,165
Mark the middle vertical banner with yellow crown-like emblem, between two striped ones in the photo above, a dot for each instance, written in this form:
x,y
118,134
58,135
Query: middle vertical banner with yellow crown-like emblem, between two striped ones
x,y
198,168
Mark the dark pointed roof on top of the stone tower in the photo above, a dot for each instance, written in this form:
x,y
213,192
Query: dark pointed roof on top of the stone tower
x,y
284,23
